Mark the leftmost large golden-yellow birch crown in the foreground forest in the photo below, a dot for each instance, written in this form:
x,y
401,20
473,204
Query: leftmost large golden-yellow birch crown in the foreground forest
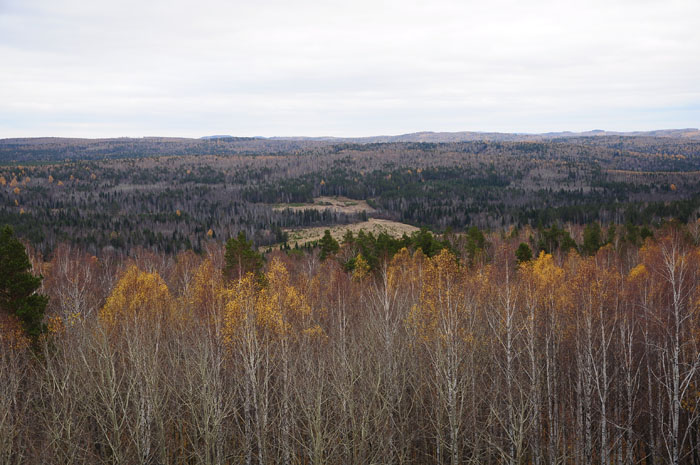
x,y
139,295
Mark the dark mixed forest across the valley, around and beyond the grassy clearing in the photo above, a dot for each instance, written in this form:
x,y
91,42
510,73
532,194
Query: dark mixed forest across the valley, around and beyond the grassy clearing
x,y
171,195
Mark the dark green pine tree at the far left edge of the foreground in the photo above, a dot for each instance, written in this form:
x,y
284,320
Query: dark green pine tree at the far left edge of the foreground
x,y
18,285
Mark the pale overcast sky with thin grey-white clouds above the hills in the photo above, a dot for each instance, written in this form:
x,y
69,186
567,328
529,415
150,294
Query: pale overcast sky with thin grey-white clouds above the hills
x,y
94,68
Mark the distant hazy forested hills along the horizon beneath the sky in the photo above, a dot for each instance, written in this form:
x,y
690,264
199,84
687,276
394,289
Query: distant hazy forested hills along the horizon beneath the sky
x,y
23,150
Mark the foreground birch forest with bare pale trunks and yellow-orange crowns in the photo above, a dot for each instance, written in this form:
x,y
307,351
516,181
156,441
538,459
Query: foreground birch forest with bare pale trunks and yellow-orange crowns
x,y
555,345
